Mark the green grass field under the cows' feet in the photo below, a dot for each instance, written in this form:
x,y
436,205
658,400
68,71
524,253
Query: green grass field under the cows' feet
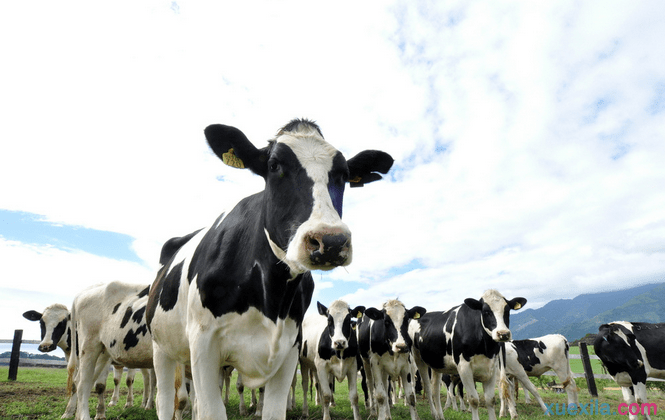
x,y
39,393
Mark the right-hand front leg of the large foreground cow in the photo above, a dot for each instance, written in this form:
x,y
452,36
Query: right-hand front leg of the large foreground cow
x,y
277,388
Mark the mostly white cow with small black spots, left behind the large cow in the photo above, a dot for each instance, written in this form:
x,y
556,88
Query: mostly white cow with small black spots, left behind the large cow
x,y
109,325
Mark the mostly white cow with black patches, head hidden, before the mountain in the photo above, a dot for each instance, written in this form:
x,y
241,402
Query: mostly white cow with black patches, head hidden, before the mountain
x,y
534,357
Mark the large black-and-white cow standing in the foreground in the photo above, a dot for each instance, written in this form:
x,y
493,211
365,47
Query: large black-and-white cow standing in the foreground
x,y
236,292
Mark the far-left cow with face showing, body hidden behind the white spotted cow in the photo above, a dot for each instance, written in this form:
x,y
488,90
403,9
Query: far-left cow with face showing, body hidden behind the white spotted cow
x,y
55,323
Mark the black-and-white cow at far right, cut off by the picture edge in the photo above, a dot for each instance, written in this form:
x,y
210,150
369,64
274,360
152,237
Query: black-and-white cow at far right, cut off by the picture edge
x,y
632,352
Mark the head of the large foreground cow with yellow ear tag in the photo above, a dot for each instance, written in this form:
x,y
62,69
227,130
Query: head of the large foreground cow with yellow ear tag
x,y
305,178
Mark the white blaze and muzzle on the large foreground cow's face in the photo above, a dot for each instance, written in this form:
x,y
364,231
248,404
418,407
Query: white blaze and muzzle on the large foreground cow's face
x,y
316,156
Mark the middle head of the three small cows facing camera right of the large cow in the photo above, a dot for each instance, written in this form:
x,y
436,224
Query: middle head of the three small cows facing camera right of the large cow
x,y
395,318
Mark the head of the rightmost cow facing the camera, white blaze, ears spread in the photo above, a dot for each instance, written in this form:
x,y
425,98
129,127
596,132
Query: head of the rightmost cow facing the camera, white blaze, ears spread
x,y
495,313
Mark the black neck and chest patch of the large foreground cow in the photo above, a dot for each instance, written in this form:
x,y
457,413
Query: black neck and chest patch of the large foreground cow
x,y
235,267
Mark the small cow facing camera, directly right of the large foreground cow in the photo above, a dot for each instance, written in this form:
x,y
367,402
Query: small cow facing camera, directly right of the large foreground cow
x,y
329,350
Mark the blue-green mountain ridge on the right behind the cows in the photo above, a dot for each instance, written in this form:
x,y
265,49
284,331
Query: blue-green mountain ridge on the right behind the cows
x,y
574,318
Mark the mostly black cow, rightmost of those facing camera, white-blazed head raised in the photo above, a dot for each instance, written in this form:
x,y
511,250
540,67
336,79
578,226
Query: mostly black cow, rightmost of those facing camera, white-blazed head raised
x,y
464,340
